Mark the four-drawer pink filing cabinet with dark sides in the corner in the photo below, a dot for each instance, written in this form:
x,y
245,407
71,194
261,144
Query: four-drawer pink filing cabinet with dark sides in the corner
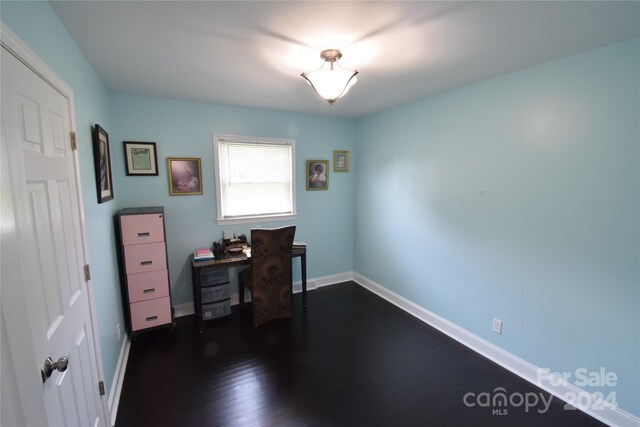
x,y
146,293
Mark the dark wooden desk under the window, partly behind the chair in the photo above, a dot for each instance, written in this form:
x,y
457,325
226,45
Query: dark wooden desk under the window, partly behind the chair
x,y
199,268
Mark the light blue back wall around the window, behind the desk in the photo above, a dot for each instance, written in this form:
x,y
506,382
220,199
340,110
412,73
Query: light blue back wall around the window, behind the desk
x,y
186,129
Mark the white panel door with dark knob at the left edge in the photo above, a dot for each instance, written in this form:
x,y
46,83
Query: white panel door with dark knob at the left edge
x,y
36,126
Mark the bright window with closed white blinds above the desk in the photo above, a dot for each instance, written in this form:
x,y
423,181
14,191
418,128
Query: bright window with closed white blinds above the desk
x,y
254,179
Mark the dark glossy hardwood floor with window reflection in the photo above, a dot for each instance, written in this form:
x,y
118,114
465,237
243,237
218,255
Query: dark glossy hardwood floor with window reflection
x,y
352,359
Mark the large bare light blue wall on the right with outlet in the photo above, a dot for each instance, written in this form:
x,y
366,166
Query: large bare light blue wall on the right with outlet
x,y
517,198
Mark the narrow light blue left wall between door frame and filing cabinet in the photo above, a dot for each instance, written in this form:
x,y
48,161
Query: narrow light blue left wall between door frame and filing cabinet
x,y
39,27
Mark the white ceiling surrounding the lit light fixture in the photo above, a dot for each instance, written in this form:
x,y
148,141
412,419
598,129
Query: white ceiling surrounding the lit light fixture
x,y
252,53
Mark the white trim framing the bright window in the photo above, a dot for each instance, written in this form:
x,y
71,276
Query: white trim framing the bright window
x,y
258,140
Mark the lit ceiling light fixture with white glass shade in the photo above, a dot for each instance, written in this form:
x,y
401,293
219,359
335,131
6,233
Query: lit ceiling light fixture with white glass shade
x,y
331,81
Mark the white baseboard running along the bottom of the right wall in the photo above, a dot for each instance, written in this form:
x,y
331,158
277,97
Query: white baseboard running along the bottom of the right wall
x,y
567,392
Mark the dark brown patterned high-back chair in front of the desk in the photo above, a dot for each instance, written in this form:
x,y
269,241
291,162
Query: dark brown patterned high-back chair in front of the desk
x,y
269,276
